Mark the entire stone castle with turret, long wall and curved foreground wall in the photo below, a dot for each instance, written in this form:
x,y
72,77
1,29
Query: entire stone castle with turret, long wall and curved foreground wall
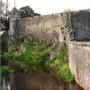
x,y
72,28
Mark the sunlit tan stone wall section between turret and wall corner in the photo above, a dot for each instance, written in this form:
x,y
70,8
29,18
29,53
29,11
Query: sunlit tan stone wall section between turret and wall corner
x,y
48,28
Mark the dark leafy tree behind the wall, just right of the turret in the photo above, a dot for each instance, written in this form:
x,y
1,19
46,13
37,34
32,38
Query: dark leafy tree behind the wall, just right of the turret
x,y
27,12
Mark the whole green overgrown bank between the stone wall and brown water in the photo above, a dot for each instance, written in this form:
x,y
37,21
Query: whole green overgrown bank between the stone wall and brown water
x,y
26,56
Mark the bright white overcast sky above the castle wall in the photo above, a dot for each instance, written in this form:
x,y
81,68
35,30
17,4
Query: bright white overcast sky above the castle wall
x,y
45,7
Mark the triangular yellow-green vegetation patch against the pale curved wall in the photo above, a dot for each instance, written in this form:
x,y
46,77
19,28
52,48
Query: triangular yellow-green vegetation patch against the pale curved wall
x,y
60,66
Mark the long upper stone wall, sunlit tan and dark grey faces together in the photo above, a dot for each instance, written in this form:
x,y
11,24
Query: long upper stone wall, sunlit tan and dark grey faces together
x,y
52,28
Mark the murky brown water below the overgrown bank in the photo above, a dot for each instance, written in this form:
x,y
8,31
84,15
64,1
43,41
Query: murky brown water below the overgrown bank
x,y
40,81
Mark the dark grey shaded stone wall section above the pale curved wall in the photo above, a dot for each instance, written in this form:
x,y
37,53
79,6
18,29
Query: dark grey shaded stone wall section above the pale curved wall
x,y
80,25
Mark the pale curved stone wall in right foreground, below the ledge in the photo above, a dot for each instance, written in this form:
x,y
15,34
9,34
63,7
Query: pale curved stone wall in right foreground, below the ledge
x,y
79,62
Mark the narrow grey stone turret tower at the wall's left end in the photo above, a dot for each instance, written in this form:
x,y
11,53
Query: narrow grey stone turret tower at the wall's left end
x,y
13,16
